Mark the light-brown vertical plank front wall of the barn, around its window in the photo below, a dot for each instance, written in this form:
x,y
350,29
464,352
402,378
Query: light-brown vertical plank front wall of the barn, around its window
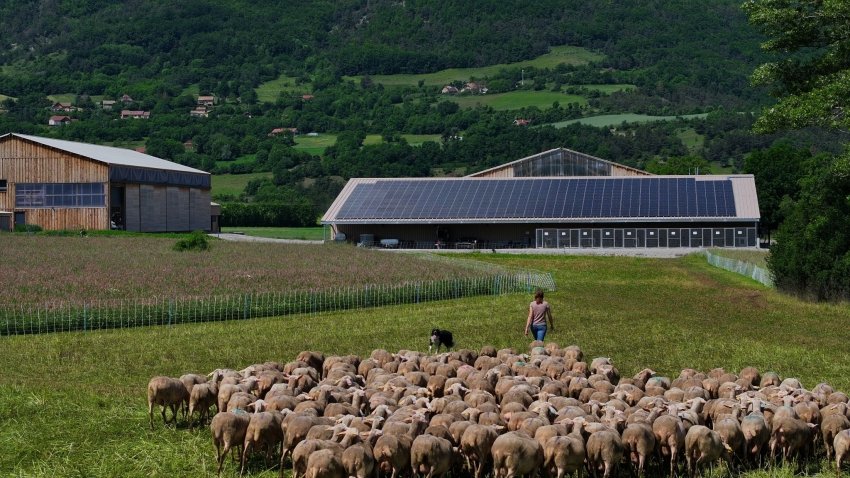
x,y
24,162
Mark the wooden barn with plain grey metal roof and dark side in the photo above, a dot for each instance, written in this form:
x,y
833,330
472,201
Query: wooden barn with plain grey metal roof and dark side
x,y
58,184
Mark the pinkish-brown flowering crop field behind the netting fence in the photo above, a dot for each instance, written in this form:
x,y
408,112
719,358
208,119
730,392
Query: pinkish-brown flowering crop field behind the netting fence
x,y
44,269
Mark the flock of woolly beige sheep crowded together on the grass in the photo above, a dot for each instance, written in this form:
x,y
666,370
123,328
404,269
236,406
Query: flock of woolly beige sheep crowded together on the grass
x,y
466,413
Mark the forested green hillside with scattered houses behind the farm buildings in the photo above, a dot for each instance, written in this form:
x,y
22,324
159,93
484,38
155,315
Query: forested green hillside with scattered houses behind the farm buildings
x,y
279,71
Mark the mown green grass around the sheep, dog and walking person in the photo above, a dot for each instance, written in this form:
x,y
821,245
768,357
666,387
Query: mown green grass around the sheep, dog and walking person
x,y
73,404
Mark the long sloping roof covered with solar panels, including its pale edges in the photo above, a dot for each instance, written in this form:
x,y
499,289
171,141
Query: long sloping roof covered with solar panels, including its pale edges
x,y
720,198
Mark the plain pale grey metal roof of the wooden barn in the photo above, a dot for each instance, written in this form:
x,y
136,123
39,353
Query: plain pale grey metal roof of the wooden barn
x,y
108,154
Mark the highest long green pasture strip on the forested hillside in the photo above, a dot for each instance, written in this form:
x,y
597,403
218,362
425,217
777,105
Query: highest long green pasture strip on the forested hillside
x,y
570,55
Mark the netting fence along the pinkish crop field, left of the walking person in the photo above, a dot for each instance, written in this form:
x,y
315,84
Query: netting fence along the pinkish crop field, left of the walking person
x,y
124,313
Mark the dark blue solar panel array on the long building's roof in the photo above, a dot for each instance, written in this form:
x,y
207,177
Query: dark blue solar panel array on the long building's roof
x,y
545,198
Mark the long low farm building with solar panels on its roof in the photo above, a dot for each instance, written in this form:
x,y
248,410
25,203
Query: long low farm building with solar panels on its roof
x,y
559,199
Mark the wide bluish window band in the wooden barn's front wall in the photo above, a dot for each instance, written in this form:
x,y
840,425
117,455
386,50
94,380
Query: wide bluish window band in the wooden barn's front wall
x,y
65,195
